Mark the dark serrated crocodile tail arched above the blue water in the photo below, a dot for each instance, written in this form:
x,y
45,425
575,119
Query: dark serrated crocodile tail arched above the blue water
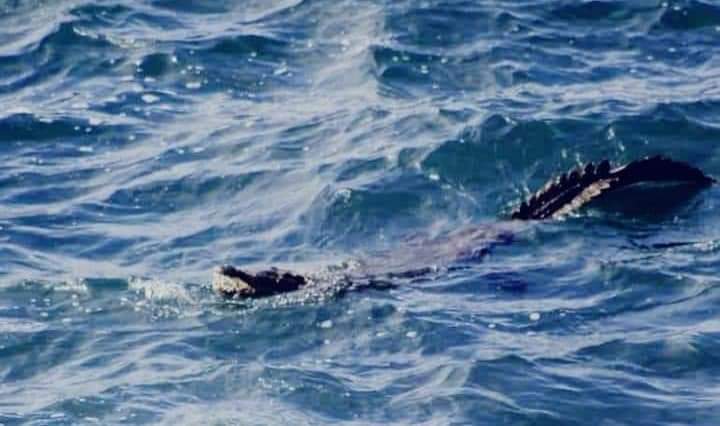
x,y
572,190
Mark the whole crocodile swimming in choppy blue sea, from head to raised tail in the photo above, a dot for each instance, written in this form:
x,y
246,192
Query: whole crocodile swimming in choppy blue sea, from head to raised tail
x,y
561,196
